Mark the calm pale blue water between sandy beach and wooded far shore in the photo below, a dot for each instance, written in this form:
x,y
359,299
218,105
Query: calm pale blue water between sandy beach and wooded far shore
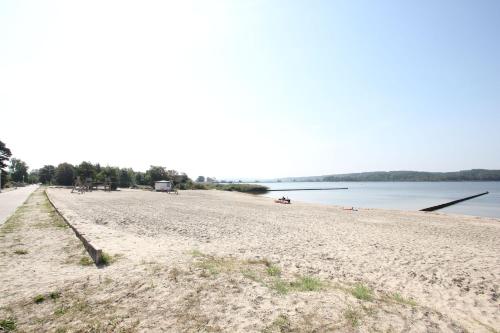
x,y
399,195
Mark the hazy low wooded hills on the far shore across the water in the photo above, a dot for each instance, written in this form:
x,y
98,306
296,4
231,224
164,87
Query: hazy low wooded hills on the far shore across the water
x,y
404,176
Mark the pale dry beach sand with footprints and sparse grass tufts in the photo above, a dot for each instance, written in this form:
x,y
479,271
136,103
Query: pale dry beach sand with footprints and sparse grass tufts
x,y
220,261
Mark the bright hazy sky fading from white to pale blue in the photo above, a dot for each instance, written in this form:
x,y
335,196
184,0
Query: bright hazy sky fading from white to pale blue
x,y
252,89
